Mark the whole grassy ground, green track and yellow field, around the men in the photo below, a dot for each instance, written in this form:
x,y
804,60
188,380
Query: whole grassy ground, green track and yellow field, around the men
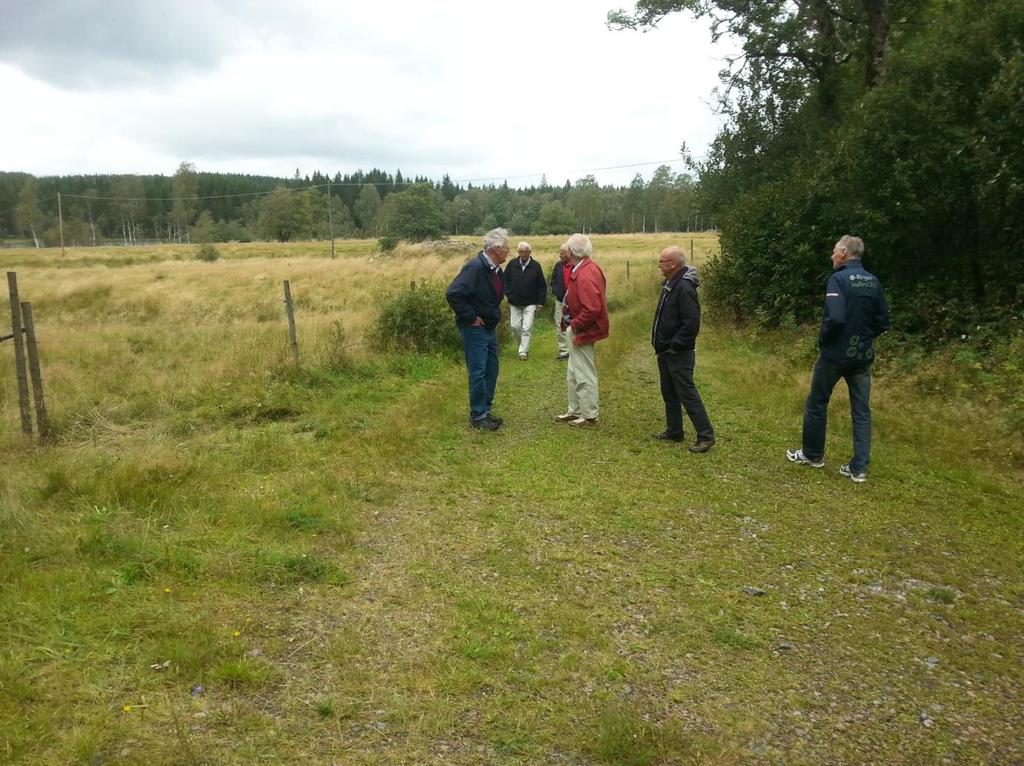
x,y
225,559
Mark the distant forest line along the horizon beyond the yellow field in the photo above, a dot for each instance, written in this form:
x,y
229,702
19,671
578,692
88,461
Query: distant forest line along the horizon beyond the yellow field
x,y
194,206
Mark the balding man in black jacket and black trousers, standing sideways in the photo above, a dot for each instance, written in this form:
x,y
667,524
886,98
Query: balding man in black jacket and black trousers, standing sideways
x,y
677,323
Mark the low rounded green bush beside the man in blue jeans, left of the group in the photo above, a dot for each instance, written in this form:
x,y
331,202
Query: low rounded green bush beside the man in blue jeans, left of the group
x,y
418,320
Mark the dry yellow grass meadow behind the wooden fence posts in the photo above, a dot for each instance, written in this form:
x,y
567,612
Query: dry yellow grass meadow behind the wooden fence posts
x,y
166,326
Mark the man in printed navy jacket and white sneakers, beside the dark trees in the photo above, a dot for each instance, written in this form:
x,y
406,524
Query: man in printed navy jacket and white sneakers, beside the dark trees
x,y
856,314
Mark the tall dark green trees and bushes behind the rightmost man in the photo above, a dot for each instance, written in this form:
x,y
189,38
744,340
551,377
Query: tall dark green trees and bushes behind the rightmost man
x,y
900,121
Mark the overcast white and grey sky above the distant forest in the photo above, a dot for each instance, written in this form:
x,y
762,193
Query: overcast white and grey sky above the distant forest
x,y
485,92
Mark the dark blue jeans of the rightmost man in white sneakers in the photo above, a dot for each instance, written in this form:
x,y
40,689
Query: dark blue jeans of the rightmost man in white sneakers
x,y
859,381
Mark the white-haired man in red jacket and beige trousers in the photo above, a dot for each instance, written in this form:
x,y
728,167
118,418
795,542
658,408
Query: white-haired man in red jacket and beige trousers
x,y
585,320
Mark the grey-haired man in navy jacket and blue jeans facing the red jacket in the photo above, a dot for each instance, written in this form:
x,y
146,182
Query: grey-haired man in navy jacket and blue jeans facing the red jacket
x,y
476,296
